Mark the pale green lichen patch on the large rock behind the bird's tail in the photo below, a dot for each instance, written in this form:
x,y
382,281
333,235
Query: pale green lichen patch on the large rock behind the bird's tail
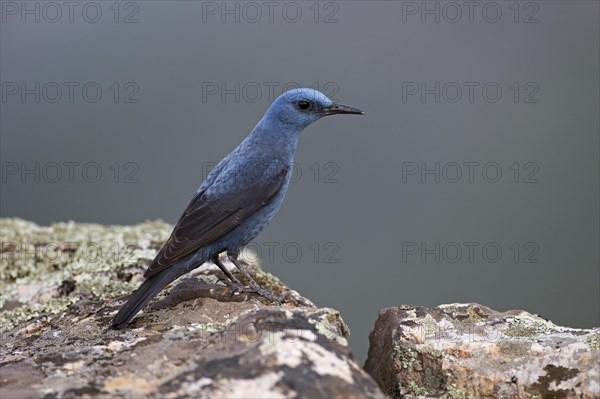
x,y
36,261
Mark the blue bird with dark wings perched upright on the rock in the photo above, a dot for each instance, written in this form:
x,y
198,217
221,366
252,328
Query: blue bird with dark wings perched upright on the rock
x,y
237,200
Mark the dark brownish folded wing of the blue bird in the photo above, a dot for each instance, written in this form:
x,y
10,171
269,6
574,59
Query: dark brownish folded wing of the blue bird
x,y
208,218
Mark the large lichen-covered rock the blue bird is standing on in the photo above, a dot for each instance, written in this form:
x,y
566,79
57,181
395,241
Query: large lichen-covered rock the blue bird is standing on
x,y
62,284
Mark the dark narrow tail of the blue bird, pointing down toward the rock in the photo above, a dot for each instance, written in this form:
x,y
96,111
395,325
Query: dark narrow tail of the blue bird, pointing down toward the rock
x,y
148,290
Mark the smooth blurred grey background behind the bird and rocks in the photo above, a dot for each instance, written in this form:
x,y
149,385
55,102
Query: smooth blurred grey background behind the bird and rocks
x,y
383,210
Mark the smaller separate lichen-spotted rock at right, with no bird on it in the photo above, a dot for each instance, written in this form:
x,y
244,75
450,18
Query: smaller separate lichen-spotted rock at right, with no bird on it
x,y
471,351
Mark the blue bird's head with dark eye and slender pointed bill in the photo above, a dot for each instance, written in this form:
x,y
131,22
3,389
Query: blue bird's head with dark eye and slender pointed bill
x,y
301,107
